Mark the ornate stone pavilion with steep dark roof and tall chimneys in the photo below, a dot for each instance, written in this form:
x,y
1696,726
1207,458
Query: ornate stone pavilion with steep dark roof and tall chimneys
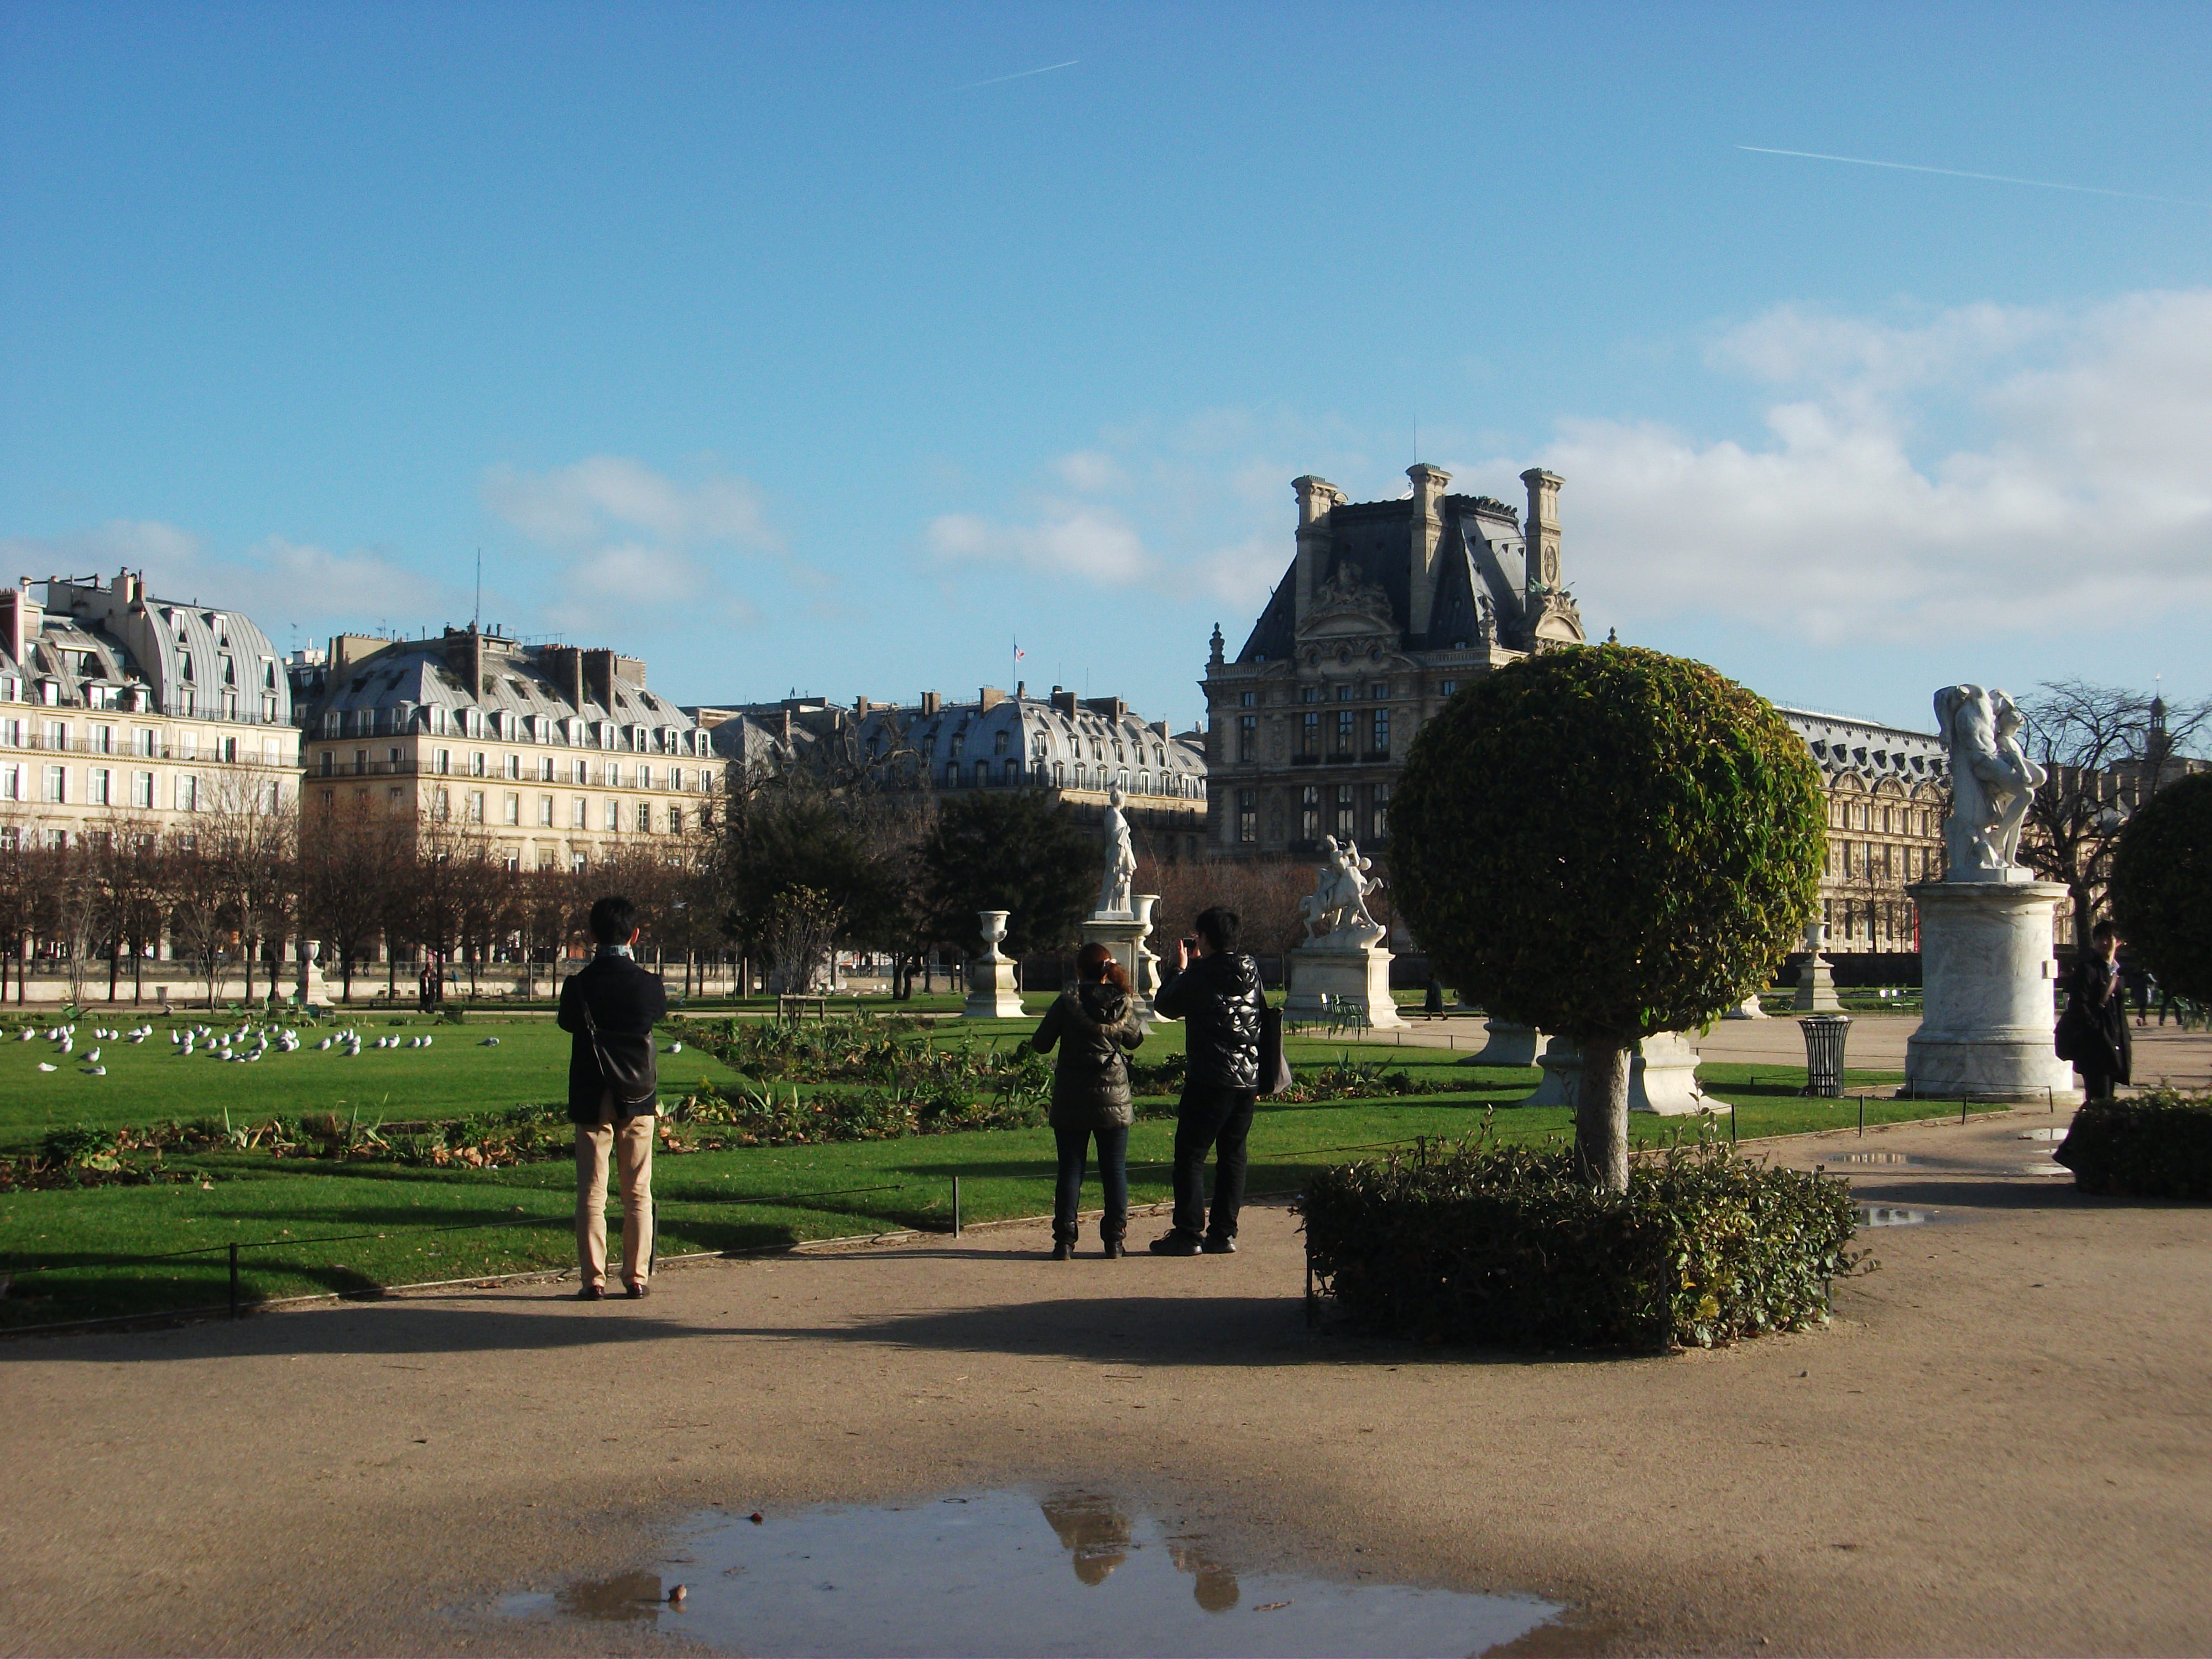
x,y
1386,612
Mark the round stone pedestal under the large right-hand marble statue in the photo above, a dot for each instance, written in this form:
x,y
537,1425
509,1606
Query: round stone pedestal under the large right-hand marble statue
x,y
1985,990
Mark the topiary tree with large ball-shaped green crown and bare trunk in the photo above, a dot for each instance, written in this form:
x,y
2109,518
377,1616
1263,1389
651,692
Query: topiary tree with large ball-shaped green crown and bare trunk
x,y
1607,844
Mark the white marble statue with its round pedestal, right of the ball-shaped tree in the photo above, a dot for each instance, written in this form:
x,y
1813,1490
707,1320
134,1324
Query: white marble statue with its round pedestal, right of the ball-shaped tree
x,y
1987,970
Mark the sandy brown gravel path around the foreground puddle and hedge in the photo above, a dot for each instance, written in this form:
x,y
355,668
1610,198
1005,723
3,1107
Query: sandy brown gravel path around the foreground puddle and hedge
x,y
2001,1448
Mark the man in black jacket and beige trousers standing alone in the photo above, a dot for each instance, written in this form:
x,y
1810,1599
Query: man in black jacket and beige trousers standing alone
x,y
614,1103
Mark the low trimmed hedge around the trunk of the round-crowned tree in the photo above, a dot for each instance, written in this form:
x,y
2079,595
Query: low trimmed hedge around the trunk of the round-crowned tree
x,y
1514,1249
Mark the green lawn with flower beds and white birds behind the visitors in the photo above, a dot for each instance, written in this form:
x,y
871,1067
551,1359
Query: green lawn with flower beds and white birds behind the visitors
x,y
85,1253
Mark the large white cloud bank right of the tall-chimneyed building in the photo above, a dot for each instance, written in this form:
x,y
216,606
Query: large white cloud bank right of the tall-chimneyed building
x,y
2080,503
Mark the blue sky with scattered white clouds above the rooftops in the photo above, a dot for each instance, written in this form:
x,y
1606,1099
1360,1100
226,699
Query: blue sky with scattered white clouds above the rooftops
x,y
773,346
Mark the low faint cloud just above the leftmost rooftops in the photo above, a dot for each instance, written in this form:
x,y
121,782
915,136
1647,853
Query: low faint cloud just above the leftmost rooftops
x,y
278,583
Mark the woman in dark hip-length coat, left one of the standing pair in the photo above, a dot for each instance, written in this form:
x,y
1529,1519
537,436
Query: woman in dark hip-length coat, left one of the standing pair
x,y
1094,1025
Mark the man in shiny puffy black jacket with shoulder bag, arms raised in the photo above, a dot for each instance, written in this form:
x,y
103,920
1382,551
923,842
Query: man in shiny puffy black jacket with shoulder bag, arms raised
x,y
1218,997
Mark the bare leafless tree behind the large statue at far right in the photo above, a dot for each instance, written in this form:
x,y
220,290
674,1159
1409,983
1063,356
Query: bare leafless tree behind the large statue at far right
x,y
2105,751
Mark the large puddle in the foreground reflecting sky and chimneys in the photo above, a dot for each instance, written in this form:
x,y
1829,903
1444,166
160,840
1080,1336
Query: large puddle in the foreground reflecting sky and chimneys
x,y
1072,1574
